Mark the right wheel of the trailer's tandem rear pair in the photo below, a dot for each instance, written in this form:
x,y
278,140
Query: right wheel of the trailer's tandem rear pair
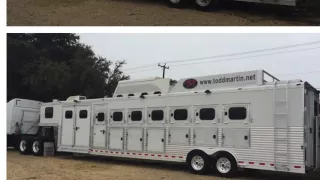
x,y
225,165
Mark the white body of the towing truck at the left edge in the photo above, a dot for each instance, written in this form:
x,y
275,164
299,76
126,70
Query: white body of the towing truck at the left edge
x,y
23,117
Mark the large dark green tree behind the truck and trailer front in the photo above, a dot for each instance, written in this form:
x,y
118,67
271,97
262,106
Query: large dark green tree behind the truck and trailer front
x,y
46,66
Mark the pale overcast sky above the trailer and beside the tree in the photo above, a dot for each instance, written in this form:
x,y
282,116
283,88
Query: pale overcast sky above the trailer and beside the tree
x,y
300,61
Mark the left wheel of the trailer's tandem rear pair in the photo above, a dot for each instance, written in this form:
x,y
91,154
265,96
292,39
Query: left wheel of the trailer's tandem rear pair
x,y
199,162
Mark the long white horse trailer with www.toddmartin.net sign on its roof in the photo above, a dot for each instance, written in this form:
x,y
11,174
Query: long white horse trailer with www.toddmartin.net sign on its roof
x,y
225,122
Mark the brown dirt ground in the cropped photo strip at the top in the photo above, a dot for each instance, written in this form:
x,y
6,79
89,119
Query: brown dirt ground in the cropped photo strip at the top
x,y
137,13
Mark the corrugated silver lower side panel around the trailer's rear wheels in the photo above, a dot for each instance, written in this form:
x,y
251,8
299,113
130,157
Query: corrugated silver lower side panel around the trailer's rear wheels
x,y
260,154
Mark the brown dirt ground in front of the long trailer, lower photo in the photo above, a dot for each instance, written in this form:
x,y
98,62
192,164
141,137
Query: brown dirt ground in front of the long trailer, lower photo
x,y
68,167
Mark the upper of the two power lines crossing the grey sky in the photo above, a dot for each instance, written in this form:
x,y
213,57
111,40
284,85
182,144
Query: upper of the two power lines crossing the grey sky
x,y
226,55
